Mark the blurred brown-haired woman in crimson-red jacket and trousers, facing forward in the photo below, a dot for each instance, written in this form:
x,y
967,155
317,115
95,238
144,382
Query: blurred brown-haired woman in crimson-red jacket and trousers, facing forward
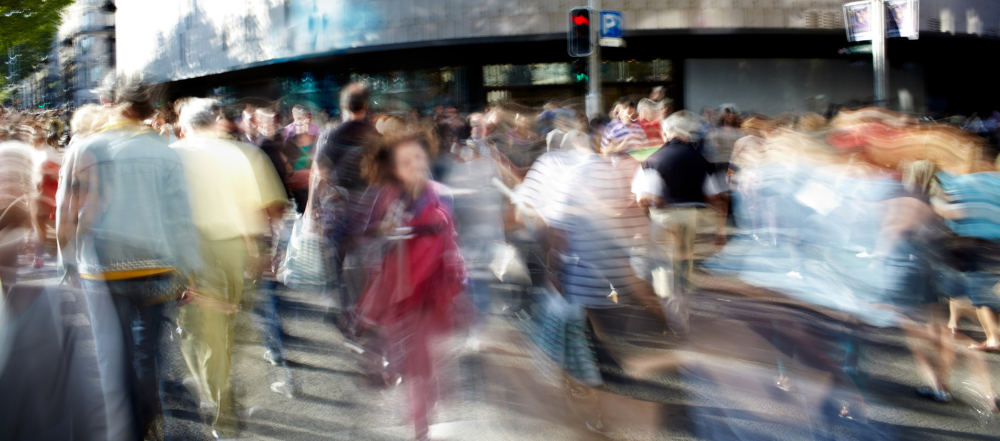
x,y
412,295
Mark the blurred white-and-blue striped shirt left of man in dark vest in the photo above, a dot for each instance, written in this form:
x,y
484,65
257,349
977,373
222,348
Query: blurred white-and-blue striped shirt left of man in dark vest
x,y
590,198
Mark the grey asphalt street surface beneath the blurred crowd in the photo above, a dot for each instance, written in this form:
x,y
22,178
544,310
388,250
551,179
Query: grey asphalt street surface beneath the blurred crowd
x,y
717,383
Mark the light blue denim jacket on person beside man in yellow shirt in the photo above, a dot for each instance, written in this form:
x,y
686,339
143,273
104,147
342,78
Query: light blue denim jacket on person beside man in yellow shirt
x,y
123,206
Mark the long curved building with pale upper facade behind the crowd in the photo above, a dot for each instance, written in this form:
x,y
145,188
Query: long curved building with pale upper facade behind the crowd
x,y
764,55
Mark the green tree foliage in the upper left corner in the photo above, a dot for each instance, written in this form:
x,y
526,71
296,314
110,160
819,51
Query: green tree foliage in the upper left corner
x,y
29,25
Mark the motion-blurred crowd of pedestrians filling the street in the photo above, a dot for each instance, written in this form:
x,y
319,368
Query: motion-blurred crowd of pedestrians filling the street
x,y
165,212
